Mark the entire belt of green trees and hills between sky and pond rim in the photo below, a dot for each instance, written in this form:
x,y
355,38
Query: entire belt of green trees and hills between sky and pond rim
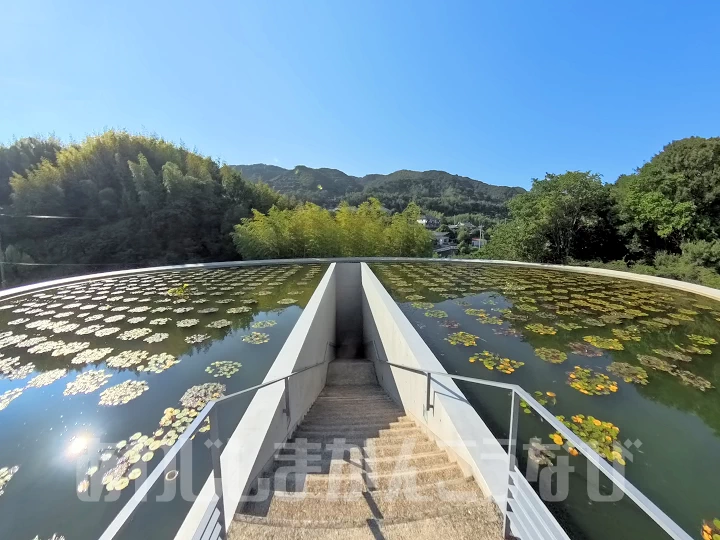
x,y
128,200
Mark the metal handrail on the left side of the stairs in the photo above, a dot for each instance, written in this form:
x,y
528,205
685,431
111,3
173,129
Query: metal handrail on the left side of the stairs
x,y
138,497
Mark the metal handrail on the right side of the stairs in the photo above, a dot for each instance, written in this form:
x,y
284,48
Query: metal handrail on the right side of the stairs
x,y
645,504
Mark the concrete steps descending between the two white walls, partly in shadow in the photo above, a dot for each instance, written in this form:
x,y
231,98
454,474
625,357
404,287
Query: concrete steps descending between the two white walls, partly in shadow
x,y
387,480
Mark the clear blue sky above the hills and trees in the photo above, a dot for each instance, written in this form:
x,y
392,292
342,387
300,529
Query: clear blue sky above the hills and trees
x,y
501,91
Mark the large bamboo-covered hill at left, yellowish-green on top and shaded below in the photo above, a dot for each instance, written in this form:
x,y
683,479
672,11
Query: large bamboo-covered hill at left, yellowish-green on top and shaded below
x,y
133,200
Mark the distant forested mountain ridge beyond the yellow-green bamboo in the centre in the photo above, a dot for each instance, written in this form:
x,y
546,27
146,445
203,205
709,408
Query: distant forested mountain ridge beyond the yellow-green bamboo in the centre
x,y
432,190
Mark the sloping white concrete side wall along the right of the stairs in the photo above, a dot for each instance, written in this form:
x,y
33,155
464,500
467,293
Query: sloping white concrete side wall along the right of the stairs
x,y
453,422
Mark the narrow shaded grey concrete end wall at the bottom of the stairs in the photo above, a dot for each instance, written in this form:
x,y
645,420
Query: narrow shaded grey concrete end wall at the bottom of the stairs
x,y
348,338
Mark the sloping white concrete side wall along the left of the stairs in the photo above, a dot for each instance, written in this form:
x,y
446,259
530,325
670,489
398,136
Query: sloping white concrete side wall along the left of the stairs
x,y
264,424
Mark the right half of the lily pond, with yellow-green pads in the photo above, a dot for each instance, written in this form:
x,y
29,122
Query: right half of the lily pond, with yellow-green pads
x,y
632,369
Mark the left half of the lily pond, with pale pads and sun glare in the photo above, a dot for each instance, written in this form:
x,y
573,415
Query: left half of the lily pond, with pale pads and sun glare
x,y
127,361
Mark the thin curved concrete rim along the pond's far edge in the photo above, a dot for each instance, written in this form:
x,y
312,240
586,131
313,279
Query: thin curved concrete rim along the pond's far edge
x,y
701,290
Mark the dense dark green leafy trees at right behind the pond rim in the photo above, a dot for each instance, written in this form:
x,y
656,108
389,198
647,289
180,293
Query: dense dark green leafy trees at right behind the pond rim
x,y
664,219
